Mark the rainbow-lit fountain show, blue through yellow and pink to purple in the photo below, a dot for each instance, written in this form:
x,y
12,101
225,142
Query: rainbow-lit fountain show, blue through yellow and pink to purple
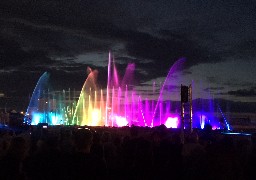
x,y
117,105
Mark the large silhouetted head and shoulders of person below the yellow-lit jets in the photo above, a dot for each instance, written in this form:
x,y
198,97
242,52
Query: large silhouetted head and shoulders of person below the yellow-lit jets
x,y
82,164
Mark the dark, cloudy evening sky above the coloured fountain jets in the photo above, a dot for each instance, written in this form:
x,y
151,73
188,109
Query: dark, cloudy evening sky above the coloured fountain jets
x,y
216,39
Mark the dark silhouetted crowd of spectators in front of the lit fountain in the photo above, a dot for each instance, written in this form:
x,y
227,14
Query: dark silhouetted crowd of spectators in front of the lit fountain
x,y
125,153
